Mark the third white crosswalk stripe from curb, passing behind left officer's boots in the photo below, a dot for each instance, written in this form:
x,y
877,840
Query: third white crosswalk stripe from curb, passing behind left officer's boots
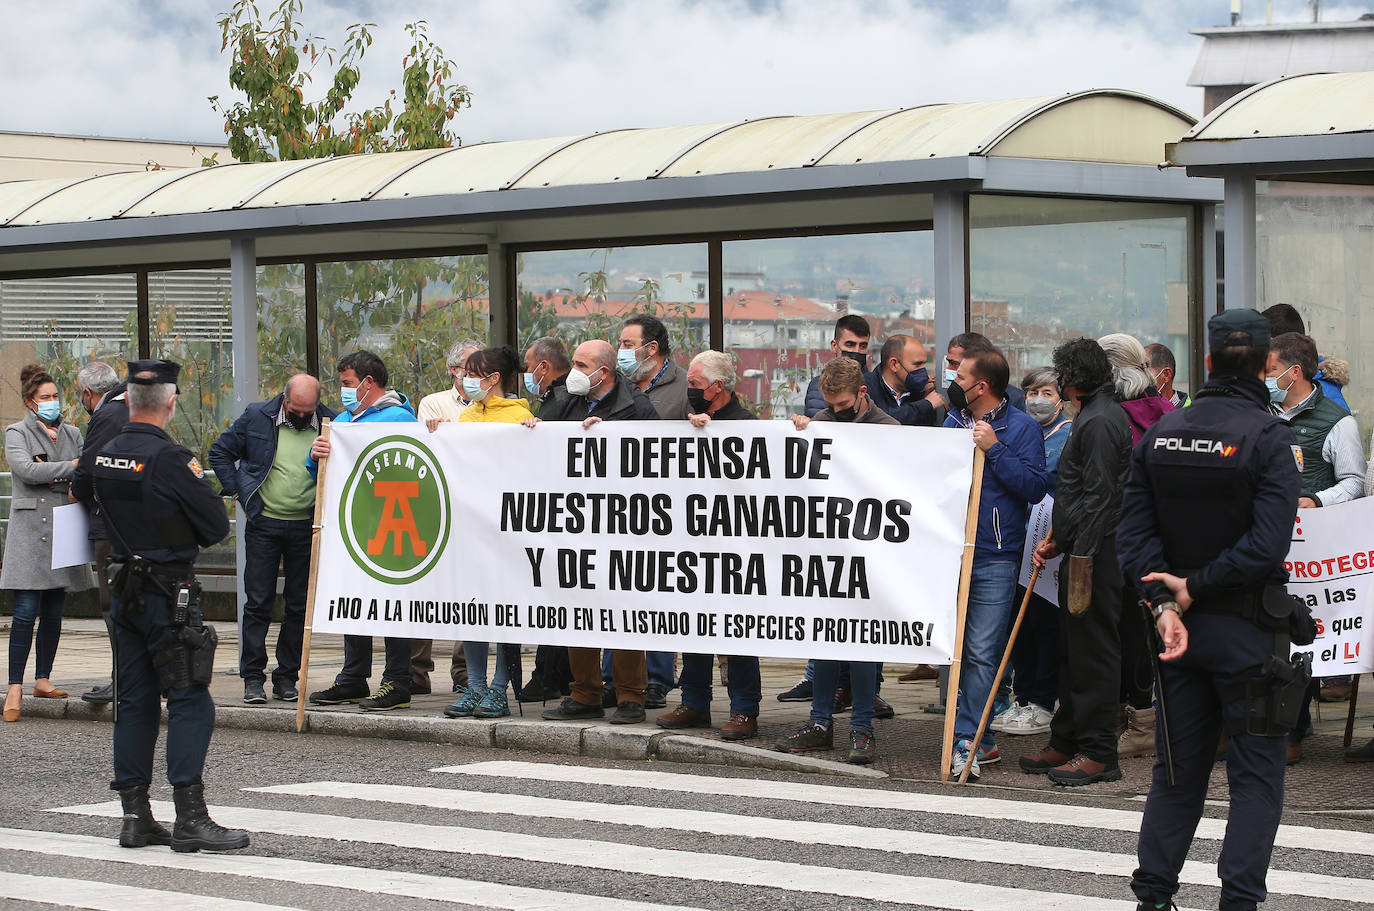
x,y
648,862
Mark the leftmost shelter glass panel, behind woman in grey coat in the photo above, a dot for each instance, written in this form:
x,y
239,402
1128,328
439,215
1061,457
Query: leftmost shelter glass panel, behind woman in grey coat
x,y
63,324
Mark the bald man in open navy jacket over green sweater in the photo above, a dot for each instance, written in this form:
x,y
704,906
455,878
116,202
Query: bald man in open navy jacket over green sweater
x,y
262,462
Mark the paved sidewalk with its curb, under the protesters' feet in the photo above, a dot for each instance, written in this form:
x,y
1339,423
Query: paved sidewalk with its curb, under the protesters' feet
x,y
909,745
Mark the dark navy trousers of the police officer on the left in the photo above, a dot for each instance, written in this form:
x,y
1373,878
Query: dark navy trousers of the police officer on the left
x,y
142,634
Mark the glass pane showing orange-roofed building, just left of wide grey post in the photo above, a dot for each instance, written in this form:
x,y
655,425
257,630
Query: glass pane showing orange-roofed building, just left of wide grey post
x,y
785,295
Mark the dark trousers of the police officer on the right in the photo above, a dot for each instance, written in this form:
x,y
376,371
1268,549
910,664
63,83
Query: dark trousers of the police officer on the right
x,y
1222,652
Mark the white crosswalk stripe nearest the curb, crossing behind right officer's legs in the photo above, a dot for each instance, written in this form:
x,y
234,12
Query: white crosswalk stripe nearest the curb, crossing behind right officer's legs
x,y
1307,837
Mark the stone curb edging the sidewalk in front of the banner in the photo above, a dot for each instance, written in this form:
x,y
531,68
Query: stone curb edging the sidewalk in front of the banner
x,y
557,739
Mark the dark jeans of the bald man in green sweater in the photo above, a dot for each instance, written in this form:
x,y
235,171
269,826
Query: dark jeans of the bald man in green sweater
x,y
267,545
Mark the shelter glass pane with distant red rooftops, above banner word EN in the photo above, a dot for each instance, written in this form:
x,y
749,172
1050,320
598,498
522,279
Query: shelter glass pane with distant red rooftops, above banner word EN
x,y
578,296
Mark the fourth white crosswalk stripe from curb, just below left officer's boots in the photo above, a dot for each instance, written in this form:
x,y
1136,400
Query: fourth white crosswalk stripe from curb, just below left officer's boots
x,y
413,886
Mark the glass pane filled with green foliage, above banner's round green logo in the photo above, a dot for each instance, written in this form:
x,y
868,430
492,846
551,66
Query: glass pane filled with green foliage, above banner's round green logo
x,y
406,311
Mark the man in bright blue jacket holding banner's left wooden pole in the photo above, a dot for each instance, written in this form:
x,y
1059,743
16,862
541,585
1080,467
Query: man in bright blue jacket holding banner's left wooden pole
x,y
366,399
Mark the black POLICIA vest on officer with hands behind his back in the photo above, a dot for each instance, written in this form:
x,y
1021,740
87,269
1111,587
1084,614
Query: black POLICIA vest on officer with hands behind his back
x,y
1204,483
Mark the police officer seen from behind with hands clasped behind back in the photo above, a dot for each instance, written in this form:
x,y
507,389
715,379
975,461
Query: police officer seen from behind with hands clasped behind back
x,y
1208,517
